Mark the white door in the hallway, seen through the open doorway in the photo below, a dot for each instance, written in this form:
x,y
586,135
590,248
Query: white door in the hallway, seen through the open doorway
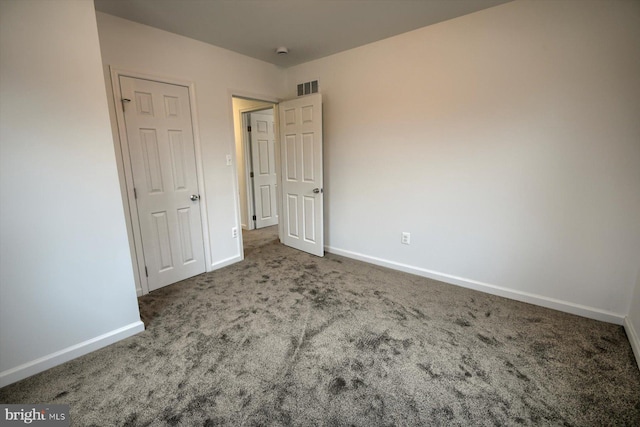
x,y
263,159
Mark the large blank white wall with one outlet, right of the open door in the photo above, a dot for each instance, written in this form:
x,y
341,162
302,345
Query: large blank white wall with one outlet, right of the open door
x,y
505,141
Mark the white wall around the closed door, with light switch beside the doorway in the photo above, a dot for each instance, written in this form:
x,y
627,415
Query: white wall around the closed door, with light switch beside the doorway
x,y
217,74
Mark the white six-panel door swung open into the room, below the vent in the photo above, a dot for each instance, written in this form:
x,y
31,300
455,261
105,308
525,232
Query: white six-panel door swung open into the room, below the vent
x,y
301,151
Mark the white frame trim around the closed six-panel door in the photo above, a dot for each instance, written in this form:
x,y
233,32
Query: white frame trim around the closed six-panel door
x,y
125,173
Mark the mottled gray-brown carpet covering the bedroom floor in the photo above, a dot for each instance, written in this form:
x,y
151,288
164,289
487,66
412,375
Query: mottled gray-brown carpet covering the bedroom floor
x,y
285,338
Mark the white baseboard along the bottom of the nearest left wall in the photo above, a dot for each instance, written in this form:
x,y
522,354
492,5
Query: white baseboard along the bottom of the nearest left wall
x,y
49,361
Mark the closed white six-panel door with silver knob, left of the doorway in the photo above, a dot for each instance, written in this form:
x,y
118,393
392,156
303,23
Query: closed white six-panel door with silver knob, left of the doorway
x,y
161,148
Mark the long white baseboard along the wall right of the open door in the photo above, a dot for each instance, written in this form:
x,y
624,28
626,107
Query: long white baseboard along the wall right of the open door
x,y
560,305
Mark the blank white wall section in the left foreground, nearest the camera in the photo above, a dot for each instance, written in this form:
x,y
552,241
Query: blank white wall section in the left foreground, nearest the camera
x,y
66,281
